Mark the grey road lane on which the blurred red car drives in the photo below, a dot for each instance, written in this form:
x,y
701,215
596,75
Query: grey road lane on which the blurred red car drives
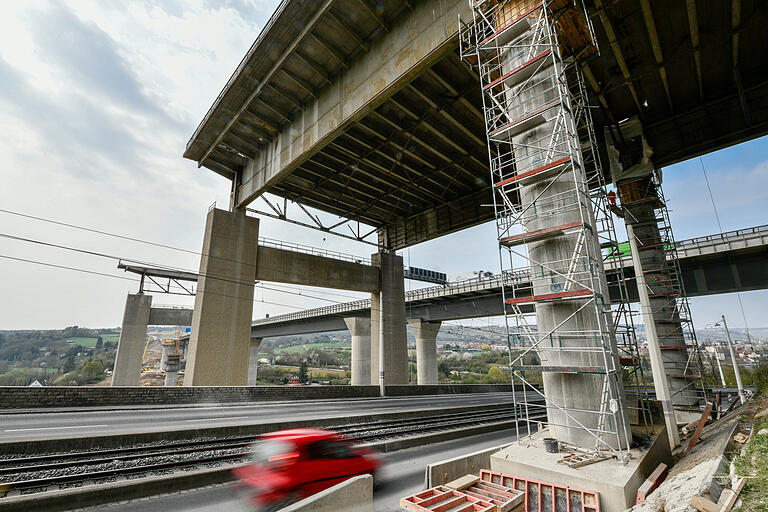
x,y
402,476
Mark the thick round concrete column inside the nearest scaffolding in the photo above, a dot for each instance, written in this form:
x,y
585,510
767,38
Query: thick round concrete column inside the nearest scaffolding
x,y
573,399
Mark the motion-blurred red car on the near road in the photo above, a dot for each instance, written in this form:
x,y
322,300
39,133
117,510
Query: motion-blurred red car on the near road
x,y
290,465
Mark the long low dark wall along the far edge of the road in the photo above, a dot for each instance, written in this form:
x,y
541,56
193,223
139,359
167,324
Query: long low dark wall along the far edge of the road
x,y
12,397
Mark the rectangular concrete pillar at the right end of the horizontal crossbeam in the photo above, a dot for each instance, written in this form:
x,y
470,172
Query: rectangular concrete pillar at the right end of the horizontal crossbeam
x,y
388,322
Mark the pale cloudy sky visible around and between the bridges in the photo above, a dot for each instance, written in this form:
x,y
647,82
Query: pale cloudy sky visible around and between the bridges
x,y
97,102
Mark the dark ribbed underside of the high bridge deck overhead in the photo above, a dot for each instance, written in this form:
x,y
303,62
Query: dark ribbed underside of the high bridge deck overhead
x,y
416,163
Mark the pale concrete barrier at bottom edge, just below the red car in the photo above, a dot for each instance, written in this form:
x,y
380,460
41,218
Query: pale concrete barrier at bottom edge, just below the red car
x,y
353,495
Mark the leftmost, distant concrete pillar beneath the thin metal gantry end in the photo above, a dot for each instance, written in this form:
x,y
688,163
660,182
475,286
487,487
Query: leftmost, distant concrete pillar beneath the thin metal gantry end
x,y
133,339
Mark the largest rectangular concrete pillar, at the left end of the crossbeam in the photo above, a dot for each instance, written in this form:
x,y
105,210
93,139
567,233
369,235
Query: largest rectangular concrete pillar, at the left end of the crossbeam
x,y
221,322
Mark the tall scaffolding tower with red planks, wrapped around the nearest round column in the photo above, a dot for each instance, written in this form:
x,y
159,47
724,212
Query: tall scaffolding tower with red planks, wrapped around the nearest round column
x,y
554,225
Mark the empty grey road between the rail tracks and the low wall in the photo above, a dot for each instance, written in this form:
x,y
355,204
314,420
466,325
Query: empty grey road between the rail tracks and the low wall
x,y
44,424
